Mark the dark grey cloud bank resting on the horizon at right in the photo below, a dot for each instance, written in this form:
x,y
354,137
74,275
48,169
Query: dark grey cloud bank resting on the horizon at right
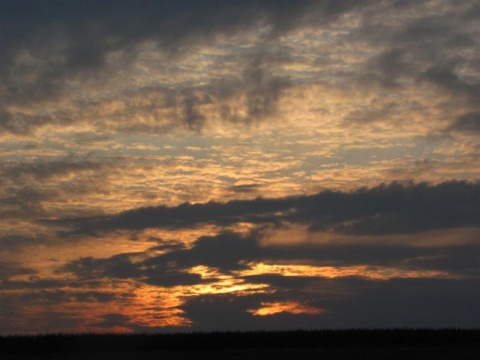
x,y
400,303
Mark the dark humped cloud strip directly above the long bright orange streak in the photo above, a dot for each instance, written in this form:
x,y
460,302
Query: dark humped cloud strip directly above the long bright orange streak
x,y
230,251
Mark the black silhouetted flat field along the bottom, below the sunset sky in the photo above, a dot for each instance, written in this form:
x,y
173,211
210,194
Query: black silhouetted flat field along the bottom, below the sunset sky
x,y
326,344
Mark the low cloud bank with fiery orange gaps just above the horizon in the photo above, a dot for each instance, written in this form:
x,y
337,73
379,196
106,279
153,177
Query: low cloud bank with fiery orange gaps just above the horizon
x,y
212,285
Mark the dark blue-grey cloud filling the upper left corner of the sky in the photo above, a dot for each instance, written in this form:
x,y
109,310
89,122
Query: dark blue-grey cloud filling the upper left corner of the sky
x,y
79,35
